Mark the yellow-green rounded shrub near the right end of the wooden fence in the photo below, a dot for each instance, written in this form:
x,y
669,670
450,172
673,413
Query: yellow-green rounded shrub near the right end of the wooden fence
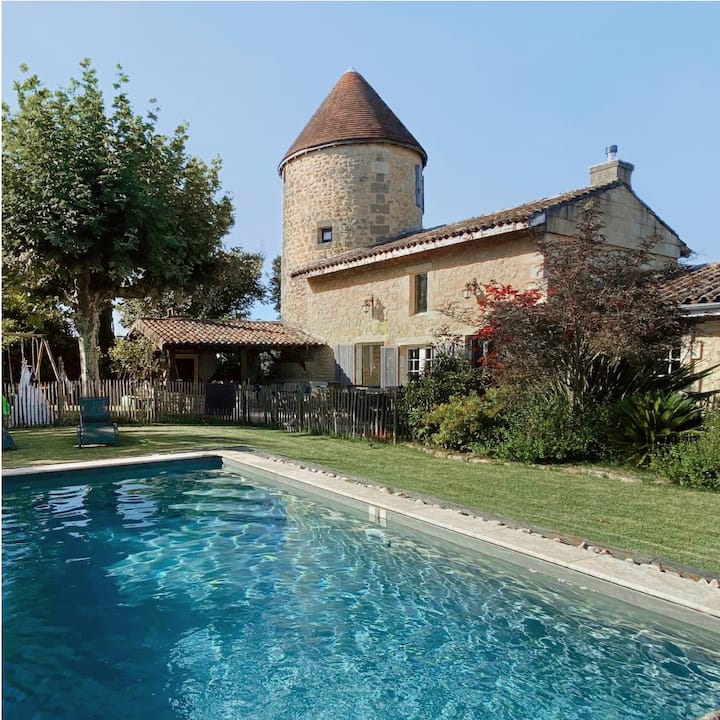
x,y
459,424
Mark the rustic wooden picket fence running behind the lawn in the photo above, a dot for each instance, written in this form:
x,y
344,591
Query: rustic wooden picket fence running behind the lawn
x,y
316,408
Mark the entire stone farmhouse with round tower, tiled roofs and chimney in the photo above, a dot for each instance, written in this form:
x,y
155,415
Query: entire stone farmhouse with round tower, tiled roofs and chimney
x,y
363,283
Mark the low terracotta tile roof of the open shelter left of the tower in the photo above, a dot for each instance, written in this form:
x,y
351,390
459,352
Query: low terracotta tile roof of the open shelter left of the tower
x,y
186,331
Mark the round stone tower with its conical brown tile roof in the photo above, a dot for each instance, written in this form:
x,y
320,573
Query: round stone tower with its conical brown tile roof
x,y
352,178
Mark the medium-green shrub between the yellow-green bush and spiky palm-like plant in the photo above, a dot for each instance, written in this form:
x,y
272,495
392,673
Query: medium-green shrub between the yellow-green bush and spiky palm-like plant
x,y
548,429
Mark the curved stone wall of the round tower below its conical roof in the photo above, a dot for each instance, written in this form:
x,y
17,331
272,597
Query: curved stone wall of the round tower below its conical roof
x,y
364,192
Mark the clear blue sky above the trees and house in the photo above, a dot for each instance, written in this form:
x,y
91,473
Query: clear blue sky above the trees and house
x,y
512,101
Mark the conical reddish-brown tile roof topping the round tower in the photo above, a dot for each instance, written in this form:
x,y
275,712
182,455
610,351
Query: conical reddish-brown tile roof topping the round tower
x,y
352,112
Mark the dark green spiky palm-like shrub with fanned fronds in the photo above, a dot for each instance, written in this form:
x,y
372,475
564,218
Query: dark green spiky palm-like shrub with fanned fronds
x,y
645,421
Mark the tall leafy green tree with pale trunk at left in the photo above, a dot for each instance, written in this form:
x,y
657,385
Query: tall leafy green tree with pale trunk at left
x,y
102,203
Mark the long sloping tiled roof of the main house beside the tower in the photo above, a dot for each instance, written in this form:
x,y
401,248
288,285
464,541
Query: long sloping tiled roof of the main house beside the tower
x,y
519,214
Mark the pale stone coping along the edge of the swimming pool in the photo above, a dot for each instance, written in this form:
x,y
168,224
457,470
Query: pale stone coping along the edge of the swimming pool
x,y
653,580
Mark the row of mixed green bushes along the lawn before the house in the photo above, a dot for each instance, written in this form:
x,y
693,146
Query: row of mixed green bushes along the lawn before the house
x,y
661,428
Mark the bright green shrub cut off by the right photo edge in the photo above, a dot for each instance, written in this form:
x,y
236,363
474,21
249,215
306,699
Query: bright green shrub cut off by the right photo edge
x,y
695,461
